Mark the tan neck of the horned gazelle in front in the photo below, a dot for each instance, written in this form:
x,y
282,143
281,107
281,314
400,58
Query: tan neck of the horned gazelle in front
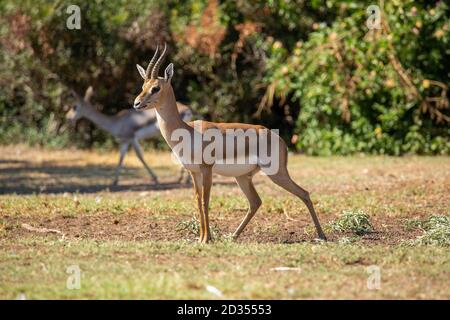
x,y
169,118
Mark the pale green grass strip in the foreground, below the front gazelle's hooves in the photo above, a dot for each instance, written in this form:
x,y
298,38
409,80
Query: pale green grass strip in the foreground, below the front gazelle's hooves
x,y
149,270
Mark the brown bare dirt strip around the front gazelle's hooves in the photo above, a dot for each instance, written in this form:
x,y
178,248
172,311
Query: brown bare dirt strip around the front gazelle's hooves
x,y
138,227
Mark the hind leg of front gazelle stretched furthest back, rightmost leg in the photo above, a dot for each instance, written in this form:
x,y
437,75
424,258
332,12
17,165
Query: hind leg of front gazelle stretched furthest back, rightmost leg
x,y
283,179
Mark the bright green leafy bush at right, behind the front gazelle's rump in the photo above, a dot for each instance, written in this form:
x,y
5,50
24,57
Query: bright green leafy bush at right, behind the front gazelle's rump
x,y
369,91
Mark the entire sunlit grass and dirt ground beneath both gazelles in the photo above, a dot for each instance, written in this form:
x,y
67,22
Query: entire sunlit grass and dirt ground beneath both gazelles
x,y
138,241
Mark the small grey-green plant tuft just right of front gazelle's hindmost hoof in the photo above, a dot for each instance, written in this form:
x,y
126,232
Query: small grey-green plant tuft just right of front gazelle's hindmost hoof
x,y
357,222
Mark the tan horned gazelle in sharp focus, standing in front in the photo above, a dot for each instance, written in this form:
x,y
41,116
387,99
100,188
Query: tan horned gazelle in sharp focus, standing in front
x,y
157,93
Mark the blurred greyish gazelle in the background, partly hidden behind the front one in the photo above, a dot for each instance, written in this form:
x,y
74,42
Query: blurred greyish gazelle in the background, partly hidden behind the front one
x,y
127,127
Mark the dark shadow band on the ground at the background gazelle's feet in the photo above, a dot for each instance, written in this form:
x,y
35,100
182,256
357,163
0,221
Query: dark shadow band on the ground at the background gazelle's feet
x,y
22,177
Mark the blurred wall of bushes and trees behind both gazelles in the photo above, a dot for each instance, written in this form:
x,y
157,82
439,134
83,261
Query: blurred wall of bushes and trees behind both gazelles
x,y
309,68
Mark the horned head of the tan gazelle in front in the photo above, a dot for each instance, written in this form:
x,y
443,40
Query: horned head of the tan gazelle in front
x,y
154,87
